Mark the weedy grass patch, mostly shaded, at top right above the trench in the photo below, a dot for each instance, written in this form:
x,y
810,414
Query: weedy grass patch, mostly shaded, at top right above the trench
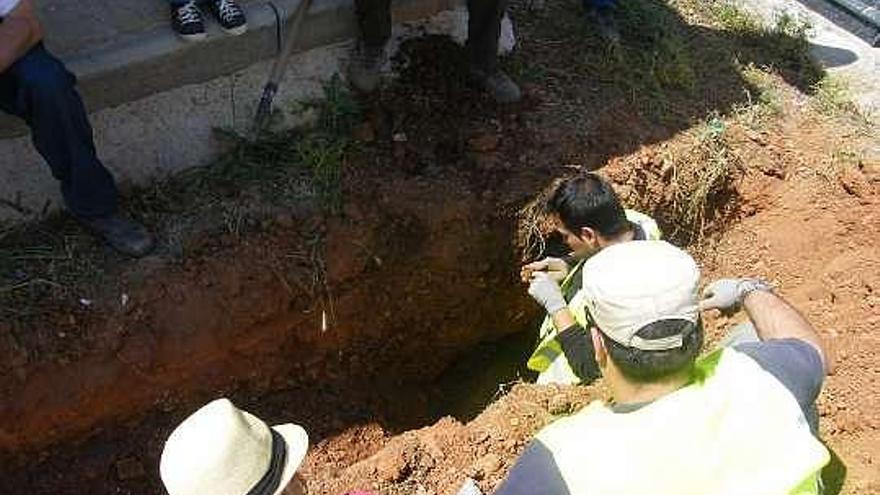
x,y
676,62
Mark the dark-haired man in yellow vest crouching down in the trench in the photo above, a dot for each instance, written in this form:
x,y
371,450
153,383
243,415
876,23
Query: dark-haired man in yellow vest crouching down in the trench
x,y
588,215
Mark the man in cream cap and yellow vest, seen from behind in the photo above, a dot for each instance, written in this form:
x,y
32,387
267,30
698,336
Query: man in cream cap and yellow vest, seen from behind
x,y
732,422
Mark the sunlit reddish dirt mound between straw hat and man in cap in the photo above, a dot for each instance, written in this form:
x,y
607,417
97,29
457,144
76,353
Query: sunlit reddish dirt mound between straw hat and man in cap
x,y
437,459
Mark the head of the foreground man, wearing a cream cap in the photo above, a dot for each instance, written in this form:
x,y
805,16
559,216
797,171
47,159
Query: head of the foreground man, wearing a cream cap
x,y
642,298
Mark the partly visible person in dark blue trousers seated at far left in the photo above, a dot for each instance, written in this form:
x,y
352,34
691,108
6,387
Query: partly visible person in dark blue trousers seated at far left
x,y
36,87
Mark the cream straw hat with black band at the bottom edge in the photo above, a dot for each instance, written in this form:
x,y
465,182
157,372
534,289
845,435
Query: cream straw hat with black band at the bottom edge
x,y
222,450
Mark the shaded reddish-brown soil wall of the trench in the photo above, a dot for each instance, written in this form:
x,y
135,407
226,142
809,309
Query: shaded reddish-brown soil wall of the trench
x,y
416,270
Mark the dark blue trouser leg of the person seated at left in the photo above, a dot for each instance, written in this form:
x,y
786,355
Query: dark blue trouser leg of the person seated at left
x,y
40,90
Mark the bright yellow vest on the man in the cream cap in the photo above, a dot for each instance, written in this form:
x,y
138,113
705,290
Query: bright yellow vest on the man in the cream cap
x,y
735,431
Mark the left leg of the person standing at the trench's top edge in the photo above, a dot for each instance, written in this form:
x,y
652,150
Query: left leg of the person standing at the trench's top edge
x,y
374,23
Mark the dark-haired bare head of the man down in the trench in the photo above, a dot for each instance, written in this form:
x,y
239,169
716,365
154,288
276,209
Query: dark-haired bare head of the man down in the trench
x,y
587,214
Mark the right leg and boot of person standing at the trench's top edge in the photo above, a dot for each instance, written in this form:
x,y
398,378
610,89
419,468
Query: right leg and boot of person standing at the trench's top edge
x,y
484,29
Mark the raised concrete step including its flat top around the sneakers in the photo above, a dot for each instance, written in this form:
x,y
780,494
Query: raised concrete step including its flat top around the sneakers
x,y
125,50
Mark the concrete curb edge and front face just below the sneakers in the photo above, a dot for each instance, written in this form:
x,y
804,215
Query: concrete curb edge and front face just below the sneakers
x,y
156,60
